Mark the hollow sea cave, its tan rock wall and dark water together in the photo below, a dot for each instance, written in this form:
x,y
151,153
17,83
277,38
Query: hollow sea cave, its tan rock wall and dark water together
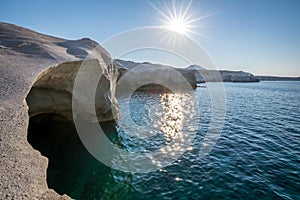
x,y
71,170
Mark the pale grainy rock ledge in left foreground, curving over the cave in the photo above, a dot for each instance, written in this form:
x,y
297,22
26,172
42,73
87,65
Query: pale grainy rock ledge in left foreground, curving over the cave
x,y
24,54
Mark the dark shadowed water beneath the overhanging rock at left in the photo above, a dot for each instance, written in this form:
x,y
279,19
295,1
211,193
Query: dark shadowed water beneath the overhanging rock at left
x,y
72,170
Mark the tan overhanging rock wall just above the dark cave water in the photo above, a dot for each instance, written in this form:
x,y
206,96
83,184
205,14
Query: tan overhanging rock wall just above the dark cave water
x,y
53,90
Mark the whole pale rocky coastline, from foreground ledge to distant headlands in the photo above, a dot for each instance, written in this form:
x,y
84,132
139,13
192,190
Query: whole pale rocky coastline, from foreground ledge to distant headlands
x,y
36,67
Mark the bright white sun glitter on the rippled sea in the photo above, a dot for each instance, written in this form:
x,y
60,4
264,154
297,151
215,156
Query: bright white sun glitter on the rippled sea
x,y
176,124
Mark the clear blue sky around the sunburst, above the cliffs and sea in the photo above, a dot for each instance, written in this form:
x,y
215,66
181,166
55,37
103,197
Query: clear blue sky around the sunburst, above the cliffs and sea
x,y
259,36
